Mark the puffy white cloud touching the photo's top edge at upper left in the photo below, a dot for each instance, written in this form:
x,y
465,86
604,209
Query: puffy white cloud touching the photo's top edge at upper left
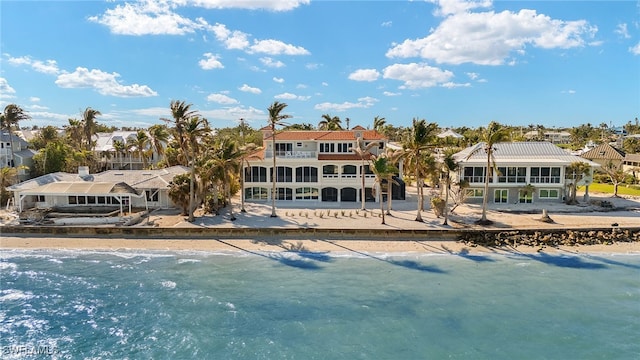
x,y
146,17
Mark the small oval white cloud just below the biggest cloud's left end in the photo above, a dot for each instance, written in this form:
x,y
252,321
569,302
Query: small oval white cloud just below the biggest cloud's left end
x,y
417,76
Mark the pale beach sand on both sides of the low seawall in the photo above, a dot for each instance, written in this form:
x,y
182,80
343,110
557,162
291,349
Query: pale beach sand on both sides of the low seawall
x,y
518,216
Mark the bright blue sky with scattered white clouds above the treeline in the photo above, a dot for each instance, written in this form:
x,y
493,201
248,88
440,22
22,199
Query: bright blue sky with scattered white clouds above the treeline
x,y
457,63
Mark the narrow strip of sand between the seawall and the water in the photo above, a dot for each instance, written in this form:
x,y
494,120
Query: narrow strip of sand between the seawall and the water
x,y
319,246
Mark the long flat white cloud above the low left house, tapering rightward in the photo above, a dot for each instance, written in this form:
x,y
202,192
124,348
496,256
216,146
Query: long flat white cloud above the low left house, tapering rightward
x,y
104,83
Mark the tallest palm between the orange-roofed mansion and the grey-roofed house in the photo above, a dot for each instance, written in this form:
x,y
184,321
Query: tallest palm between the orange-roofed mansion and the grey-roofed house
x,y
421,138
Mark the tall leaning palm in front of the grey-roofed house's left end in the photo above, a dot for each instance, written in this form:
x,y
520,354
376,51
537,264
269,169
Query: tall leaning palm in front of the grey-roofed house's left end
x,y
494,134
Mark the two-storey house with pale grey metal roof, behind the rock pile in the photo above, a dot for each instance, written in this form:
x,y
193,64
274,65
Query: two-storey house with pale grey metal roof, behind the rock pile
x,y
528,172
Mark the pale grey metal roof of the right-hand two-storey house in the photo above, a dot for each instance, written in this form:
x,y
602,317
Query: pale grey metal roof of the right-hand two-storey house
x,y
520,153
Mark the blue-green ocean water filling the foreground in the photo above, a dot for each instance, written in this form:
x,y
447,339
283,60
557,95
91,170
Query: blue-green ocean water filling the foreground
x,y
185,305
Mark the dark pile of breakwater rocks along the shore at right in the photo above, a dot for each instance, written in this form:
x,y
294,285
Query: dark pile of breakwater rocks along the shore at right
x,y
553,237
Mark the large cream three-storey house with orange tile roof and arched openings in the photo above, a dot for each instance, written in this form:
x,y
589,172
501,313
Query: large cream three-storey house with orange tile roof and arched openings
x,y
315,166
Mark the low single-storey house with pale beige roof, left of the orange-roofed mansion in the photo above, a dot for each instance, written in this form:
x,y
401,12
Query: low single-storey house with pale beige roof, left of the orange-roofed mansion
x,y
82,191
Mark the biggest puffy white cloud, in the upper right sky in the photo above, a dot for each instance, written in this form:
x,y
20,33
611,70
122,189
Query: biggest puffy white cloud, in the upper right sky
x,y
489,38
